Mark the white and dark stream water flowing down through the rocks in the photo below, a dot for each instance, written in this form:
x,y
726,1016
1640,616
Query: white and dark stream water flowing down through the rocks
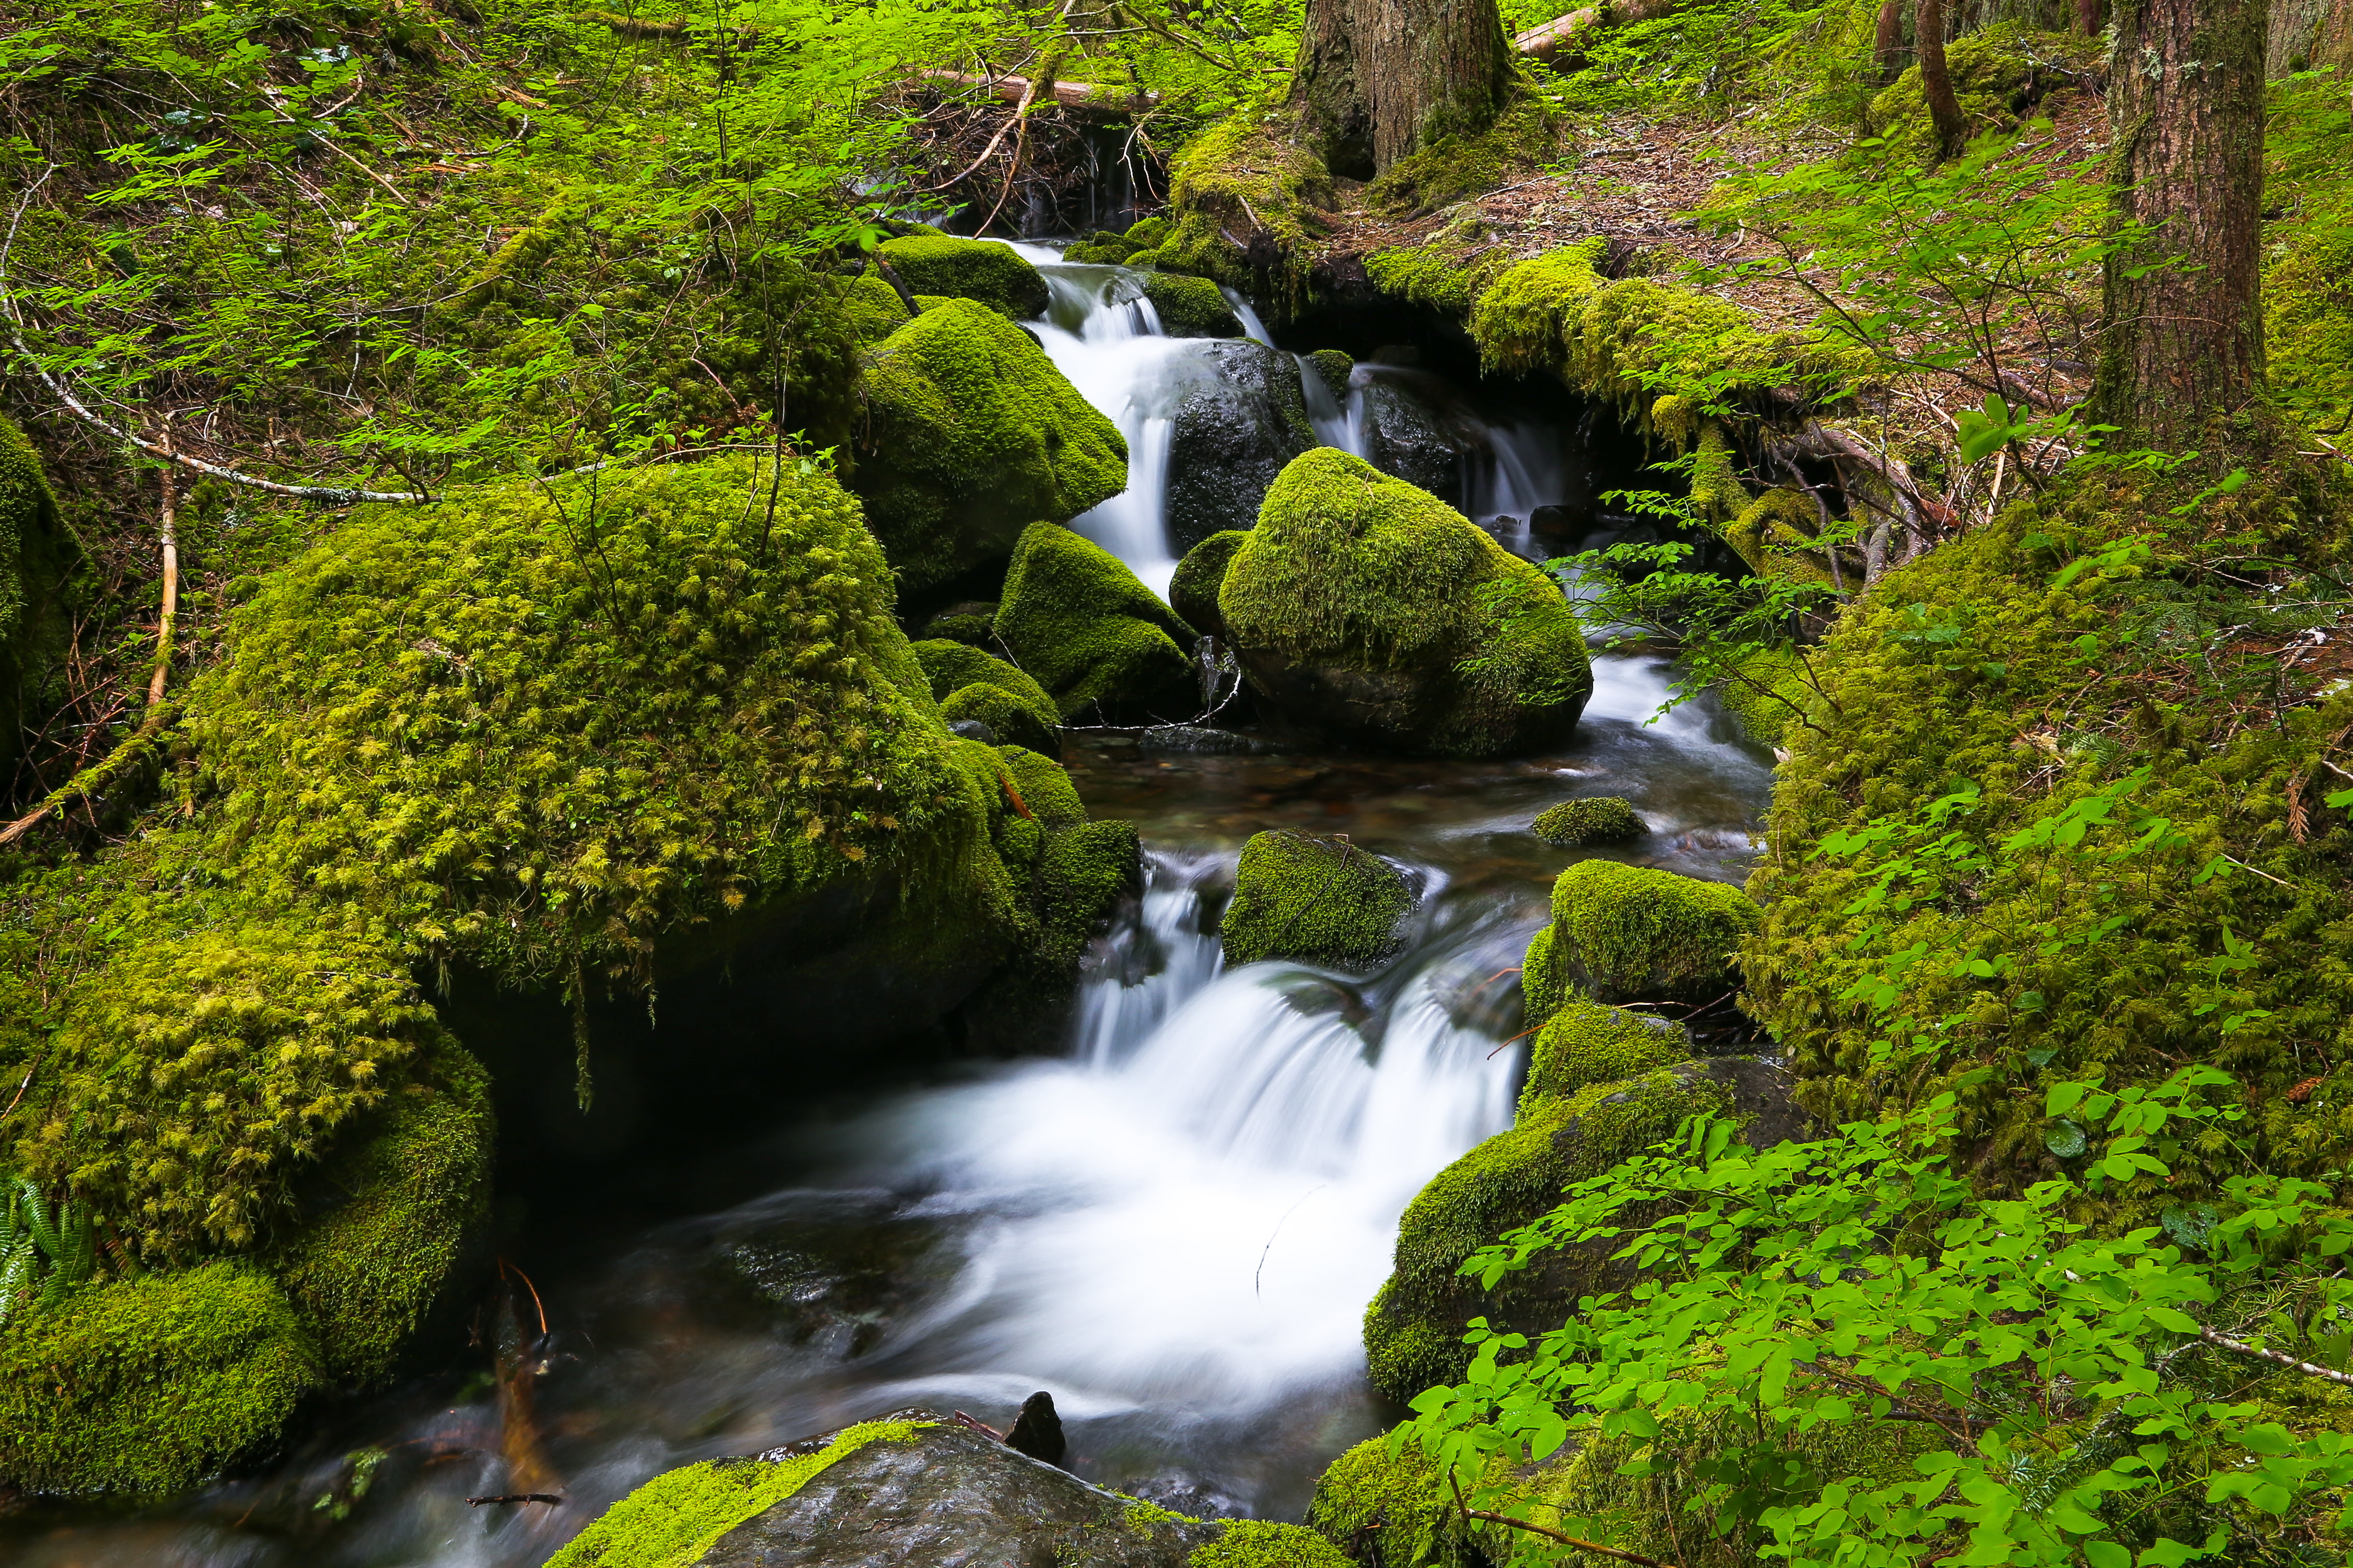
x,y
1173,1226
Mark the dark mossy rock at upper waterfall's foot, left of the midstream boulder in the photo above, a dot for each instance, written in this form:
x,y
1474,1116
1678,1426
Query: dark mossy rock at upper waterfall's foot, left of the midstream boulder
x,y
1091,634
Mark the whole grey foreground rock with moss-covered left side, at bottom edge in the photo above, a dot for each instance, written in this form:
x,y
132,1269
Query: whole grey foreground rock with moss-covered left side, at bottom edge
x,y
914,1489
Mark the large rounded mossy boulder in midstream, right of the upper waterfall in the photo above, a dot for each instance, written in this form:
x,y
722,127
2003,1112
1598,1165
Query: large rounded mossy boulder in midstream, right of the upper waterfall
x,y
1373,610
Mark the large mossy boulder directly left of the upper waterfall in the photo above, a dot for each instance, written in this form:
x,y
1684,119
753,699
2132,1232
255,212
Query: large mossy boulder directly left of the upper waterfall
x,y
973,436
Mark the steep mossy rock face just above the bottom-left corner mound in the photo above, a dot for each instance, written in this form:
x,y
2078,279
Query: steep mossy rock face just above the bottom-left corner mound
x,y
415,1200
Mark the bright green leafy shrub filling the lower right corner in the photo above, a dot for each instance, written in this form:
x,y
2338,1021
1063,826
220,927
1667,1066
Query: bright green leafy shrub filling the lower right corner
x,y
1801,1299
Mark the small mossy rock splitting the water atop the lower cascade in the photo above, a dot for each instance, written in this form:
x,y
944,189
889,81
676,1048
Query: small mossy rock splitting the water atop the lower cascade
x,y
1319,902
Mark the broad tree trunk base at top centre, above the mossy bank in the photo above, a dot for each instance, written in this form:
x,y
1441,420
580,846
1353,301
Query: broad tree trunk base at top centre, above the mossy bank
x,y
1382,79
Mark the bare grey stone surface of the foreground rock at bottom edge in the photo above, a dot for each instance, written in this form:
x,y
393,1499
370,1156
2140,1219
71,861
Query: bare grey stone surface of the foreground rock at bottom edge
x,y
954,1499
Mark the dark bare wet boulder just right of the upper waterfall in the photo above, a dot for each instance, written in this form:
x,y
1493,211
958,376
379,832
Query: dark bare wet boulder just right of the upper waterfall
x,y
1232,438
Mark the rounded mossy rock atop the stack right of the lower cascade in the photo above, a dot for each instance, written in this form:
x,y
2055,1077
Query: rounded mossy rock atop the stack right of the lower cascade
x,y
1639,934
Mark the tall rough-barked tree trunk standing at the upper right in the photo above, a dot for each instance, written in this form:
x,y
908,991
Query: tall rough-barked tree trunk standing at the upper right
x,y
2185,328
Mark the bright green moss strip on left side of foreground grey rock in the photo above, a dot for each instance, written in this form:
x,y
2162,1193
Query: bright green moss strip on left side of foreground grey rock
x,y
676,1517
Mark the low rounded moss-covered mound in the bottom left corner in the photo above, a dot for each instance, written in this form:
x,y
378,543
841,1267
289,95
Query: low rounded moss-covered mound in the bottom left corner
x,y
154,1383
